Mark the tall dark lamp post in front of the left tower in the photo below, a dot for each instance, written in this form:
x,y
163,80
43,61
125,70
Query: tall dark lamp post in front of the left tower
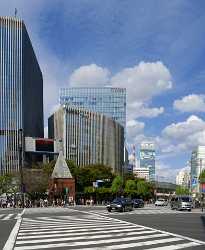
x,y
20,140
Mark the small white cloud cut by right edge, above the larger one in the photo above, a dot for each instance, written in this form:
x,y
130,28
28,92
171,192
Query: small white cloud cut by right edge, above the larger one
x,y
191,103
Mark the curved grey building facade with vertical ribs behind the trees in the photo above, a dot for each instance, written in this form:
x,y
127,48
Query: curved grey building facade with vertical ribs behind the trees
x,y
88,137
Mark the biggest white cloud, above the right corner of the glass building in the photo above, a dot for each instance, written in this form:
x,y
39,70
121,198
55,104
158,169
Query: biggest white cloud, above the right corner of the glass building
x,y
143,81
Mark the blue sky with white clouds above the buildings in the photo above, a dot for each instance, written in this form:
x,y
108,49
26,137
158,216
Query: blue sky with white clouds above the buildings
x,y
154,48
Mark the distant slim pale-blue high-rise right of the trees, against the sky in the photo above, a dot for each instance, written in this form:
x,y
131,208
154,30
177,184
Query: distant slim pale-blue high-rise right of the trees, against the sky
x,y
147,158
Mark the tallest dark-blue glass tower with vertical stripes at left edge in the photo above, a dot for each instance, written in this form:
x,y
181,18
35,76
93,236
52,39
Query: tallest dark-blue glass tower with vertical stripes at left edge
x,y
21,92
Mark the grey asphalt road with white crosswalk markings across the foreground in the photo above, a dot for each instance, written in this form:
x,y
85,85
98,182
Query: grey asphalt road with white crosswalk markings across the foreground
x,y
92,227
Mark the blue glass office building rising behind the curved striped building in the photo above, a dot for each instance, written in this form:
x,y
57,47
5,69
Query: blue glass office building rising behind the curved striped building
x,y
108,101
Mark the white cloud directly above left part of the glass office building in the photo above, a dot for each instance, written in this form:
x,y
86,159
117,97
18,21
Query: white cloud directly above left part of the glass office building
x,y
89,76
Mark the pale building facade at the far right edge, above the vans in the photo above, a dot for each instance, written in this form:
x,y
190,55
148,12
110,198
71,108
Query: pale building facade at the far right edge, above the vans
x,y
197,165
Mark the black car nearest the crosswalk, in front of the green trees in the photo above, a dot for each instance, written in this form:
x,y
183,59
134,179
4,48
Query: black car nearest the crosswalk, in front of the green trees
x,y
121,205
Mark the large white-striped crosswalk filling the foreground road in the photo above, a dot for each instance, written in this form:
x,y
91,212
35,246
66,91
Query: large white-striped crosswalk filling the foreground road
x,y
93,232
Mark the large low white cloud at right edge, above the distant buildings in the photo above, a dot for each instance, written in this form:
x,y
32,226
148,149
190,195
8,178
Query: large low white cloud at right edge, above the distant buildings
x,y
183,136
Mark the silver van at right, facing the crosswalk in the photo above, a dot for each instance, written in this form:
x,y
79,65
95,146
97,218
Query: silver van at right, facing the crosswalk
x,y
181,203
